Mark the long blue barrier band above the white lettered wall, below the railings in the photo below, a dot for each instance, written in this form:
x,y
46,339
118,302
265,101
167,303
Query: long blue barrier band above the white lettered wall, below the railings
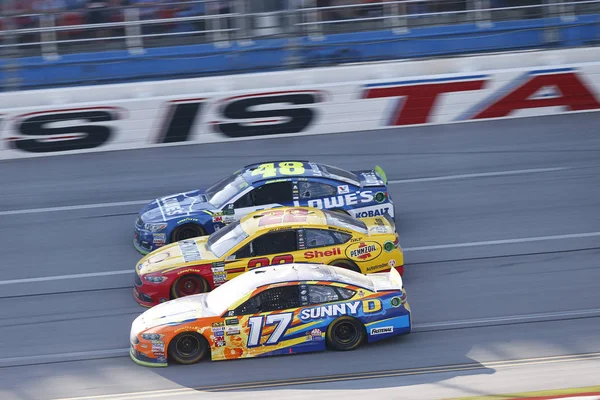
x,y
269,55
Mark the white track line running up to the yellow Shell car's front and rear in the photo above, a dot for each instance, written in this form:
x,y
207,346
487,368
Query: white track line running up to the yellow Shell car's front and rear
x,y
407,249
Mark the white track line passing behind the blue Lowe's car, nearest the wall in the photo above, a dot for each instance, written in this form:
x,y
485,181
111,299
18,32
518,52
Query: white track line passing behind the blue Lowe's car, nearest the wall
x,y
140,202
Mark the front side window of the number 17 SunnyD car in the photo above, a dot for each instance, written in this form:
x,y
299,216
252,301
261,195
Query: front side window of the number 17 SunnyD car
x,y
275,299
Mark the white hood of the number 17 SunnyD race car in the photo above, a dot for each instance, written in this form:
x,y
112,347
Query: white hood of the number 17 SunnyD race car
x,y
173,312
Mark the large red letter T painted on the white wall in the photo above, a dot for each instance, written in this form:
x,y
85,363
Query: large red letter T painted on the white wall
x,y
420,99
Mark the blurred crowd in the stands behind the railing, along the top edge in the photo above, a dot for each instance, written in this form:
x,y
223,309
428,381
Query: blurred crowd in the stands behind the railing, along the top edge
x,y
80,12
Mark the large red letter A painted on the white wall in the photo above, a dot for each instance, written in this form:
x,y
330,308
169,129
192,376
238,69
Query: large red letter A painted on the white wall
x,y
572,93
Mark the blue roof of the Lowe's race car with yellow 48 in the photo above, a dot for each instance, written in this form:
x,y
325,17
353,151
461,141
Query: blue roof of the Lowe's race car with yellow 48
x,y
311,169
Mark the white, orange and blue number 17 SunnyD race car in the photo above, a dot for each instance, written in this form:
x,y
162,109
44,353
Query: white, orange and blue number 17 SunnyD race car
x,y
275,310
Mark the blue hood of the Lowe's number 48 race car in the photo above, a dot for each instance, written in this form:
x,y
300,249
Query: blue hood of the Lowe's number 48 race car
x,y
175,206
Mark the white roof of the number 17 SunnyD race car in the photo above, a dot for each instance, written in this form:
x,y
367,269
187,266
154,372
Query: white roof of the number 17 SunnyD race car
x,y
308,272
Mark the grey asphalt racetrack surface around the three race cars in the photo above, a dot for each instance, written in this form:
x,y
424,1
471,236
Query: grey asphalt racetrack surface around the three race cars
x,y
500,222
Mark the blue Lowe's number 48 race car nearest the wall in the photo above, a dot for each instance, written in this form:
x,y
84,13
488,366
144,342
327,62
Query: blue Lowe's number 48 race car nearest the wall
x,y
261,186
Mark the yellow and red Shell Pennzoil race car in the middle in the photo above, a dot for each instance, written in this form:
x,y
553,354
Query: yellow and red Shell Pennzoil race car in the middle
x,y
276,236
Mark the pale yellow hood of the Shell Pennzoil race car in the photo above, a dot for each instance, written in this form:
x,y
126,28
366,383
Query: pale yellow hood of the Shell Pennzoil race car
x,y
174,255
